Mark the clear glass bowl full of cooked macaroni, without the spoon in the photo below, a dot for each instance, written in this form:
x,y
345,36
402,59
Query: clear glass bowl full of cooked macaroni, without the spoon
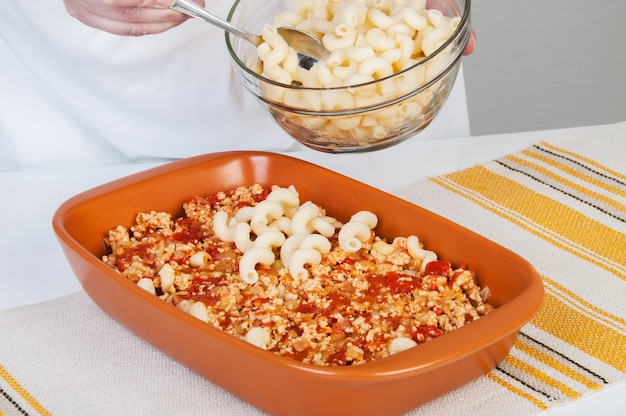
x,y
391,67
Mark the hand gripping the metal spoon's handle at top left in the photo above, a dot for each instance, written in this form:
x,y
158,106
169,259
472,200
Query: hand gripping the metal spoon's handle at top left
x,y
127,17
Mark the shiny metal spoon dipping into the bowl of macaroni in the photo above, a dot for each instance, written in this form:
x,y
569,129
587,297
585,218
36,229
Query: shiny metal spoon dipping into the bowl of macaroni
x,y
310,50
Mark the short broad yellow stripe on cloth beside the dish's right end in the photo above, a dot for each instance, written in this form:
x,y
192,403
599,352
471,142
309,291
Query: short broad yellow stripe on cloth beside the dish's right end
x,y
583,332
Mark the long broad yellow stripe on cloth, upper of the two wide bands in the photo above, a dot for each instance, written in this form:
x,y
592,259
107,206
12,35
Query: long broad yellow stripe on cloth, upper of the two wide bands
x,y
541,215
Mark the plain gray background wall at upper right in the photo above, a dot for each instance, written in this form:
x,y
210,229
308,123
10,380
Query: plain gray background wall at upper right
x,y
542,64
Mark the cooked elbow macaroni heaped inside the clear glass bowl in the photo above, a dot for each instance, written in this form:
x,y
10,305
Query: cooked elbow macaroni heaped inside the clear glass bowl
x,y
368,40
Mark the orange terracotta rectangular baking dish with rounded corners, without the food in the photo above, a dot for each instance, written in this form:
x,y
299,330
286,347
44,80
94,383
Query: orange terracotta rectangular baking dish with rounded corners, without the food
x,y
275,384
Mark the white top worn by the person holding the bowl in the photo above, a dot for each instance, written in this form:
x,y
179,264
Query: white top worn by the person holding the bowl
x,y
72,95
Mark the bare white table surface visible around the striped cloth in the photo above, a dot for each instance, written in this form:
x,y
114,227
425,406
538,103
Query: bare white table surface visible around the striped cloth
x,y
31,197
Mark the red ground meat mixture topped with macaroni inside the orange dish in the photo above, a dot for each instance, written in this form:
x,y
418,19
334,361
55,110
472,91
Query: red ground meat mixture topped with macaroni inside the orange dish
x,y
304,295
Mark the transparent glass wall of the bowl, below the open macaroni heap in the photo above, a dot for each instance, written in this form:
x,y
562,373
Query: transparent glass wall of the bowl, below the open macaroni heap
x,y
360,117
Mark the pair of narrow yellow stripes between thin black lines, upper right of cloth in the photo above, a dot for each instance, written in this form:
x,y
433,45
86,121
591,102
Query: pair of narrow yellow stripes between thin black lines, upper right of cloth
x,y
570,184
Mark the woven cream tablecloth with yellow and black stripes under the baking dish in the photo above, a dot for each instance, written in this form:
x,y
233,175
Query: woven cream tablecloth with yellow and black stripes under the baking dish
x,y
561,204
